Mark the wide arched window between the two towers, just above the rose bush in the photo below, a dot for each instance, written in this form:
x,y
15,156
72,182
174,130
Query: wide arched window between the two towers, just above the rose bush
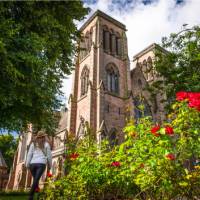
x,y
141,107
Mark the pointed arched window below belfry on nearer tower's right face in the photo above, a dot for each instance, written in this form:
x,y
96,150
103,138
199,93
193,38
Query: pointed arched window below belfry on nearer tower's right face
x,y
112,78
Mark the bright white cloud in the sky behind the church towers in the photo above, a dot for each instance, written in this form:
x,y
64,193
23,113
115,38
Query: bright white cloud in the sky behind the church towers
x,y
147,24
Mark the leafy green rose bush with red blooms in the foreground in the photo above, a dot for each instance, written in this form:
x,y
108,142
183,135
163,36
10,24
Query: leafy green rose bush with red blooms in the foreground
x,y
154,161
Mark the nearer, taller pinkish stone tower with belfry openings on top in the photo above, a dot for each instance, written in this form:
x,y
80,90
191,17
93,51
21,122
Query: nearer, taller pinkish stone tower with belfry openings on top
x,y
101,86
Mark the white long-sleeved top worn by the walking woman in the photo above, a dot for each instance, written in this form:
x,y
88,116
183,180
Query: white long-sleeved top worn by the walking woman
x,y
36,155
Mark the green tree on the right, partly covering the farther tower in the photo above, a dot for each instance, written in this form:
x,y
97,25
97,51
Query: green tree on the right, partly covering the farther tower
x,y
180,67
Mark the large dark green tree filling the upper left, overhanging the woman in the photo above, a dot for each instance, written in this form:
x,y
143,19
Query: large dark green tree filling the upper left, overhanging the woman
x,y
37,49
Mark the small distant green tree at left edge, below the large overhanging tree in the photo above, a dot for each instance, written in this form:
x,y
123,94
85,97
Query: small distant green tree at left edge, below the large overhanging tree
x,y
8,146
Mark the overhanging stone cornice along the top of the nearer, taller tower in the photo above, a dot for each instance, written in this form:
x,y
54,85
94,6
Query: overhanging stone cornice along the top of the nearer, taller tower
x,y
105,16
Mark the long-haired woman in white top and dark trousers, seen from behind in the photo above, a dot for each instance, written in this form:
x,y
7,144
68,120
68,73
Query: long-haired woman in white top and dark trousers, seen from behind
x,y
39,155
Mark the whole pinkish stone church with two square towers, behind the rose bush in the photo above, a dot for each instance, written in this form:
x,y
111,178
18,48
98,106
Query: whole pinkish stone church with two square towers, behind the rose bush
x,y
105,92
